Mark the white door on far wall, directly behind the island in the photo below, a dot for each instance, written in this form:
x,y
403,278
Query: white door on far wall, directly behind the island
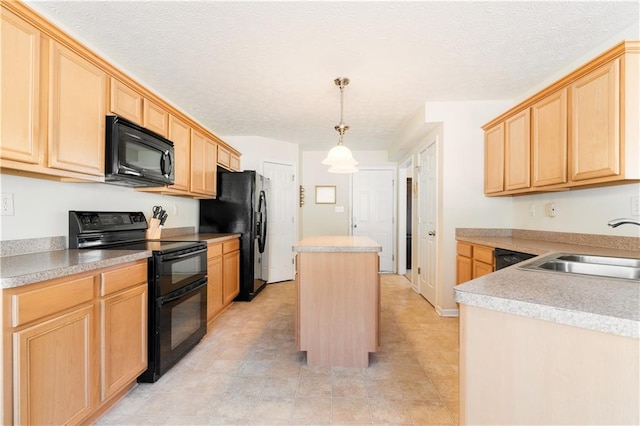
x,y
373,198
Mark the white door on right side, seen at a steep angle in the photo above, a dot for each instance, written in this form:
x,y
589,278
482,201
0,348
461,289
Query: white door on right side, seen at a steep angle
x,y
427,222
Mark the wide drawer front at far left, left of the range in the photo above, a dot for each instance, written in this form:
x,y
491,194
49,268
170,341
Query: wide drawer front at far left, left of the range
x,y
32,305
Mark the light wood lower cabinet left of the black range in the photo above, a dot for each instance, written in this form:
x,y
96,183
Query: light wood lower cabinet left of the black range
x,y
72,346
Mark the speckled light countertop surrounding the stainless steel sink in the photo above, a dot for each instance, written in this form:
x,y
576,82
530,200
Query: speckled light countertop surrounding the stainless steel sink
x,y
596,303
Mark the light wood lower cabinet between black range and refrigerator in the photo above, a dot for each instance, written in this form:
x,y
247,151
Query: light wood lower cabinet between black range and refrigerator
x,y
223,270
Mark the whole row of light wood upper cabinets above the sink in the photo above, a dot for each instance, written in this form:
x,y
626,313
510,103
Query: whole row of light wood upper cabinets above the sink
x,y
584,130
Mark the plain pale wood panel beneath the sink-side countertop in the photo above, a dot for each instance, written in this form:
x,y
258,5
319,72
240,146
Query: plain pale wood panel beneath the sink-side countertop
x,y
544,372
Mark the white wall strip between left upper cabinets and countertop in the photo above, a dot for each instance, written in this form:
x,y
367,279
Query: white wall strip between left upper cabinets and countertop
x,y
41,206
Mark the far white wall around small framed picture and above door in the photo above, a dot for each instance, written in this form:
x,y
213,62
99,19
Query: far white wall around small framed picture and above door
x,y
322,219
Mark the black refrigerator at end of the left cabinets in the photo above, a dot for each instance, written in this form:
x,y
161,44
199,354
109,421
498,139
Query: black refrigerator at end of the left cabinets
x,y
241,207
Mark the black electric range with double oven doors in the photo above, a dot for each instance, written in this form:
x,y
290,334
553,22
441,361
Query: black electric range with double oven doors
x,y
177,278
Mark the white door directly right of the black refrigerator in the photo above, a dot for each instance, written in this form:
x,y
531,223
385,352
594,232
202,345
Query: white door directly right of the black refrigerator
x,y
281,227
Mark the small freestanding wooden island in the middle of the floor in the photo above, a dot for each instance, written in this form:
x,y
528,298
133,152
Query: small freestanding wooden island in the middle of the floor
x,y
338,300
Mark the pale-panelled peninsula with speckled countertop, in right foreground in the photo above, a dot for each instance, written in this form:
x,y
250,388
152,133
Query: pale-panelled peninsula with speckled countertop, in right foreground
x,y
549,348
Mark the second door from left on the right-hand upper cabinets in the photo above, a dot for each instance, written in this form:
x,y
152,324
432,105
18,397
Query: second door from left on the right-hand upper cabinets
x,y
517,148
